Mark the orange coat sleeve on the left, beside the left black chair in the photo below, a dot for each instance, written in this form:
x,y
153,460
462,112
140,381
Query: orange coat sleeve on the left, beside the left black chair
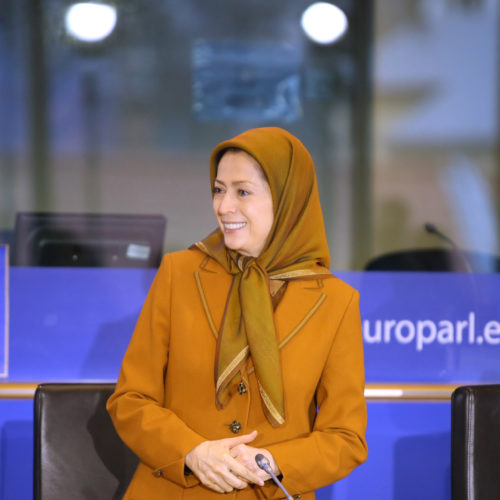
x,y
155,434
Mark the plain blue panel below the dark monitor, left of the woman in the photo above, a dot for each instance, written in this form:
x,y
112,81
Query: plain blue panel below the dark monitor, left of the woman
x,y
73,324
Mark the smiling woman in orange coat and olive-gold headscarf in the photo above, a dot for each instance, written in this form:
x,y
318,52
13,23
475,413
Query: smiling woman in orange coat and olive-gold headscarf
x,y
246,343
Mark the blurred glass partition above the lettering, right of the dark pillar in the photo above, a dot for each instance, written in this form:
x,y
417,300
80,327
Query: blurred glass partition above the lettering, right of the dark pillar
x,y
435,166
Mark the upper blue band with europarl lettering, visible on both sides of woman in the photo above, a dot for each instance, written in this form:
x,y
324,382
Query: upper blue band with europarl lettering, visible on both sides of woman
x,y
75,324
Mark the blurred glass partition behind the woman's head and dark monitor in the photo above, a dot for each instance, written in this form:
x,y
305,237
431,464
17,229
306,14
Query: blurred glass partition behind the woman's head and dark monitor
x,y
125,123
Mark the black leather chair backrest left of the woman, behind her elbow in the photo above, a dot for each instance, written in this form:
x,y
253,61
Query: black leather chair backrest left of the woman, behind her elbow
x,y
78,454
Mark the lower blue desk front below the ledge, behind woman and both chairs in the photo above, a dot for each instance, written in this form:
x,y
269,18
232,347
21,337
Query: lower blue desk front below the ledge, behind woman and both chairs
x,y
409,454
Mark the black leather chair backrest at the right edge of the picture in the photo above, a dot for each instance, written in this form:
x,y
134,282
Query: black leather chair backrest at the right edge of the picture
x,y
475,443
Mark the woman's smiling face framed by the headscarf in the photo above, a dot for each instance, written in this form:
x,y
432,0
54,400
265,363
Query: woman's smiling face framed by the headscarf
x,y
242,203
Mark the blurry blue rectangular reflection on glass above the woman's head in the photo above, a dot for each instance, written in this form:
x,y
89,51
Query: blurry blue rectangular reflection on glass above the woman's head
x,y
246,81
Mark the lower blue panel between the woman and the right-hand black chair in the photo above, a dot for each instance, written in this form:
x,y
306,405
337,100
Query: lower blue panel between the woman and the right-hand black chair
x,y
409,455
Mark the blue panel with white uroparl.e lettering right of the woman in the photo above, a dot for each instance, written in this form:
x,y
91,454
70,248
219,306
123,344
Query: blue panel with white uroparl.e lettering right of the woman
x,y
430,327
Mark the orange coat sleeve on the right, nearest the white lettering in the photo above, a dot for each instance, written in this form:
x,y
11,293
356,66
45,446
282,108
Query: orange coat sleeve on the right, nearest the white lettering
x,y
337,443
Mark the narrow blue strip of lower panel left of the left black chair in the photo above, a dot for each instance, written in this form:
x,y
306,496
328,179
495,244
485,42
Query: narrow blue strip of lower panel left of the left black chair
x,y
16,449
